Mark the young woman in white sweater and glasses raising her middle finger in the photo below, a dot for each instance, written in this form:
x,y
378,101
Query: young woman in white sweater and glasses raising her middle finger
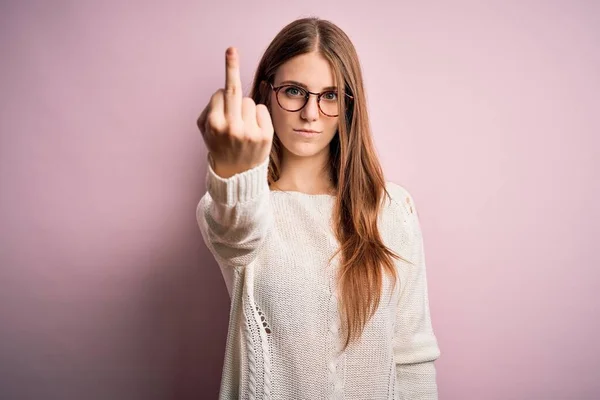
x,y
323,258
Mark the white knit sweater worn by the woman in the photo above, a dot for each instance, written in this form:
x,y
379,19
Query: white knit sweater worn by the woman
x,y
283,340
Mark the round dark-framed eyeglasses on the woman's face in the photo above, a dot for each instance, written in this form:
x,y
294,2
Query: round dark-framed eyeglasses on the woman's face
x,y
293,98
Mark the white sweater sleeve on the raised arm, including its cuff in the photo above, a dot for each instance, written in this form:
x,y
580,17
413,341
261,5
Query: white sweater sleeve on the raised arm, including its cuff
x,y
234,215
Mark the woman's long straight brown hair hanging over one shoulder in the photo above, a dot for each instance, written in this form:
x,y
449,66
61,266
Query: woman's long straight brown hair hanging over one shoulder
x,y
354,167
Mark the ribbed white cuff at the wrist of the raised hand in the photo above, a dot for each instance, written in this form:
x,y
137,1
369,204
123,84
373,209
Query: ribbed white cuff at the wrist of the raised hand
x,y
239,188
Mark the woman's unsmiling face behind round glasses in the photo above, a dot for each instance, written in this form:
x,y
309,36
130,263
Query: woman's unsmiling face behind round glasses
x,y
314,72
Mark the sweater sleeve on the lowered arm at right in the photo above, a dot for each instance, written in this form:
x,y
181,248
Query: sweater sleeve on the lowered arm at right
x,y
416,346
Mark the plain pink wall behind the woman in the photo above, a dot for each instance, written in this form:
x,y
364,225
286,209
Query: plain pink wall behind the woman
x,y
487,113
